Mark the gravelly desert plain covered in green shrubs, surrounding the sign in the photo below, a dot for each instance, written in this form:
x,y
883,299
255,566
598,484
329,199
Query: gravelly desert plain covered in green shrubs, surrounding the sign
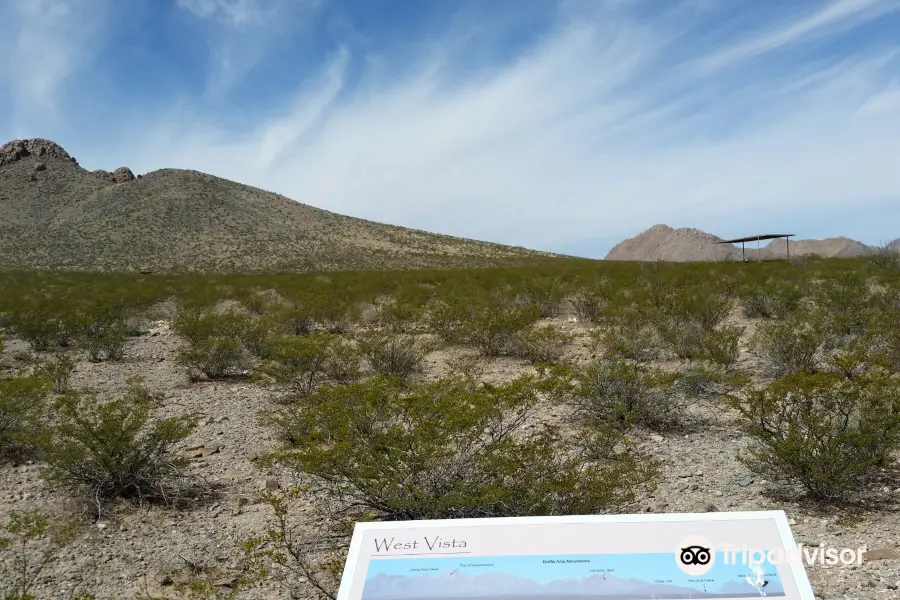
x,y
216,436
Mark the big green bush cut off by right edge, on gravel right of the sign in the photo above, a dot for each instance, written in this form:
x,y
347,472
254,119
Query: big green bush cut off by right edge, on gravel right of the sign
x,y
828,434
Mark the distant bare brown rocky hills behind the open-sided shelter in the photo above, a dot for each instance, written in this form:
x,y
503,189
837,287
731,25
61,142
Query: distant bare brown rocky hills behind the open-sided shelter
x,y
662,242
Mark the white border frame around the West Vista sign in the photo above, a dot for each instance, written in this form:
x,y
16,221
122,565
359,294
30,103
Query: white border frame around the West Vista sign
x,y
357,558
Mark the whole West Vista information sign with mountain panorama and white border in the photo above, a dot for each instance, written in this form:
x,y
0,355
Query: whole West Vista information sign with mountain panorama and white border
x,y
609,557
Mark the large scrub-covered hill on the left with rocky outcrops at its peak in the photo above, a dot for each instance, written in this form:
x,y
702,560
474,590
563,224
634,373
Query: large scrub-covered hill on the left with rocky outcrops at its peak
x,y
55,214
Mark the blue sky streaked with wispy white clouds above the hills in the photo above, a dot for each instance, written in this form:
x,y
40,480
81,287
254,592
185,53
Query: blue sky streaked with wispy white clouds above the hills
x,y
559,125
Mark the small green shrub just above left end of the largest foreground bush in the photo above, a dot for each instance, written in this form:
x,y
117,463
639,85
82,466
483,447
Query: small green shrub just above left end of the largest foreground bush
x,y
298,362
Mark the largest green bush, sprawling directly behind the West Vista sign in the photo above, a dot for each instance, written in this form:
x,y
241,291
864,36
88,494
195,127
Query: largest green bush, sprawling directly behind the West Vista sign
x,y
440,450
